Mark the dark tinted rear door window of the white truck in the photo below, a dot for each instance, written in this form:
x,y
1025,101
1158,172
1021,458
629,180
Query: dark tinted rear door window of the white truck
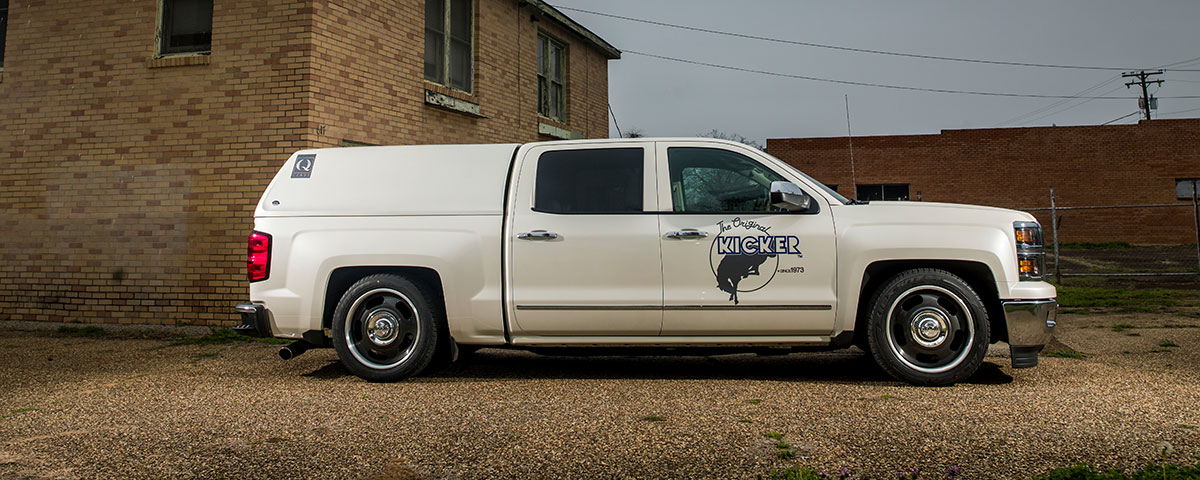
x,y
591,182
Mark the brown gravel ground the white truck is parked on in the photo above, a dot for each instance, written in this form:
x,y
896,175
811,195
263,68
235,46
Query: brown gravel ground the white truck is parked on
x,y
125,406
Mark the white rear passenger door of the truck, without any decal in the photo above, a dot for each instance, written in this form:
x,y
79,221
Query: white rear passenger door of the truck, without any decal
x,y
585,242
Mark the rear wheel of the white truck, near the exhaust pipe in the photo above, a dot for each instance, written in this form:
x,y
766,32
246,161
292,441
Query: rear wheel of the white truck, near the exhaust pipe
x,y
386,329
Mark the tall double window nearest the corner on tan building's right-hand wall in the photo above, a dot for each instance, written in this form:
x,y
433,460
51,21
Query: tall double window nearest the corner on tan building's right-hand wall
x,y
449,59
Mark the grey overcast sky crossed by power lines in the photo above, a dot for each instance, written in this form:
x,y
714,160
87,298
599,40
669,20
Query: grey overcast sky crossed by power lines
x,y
662,98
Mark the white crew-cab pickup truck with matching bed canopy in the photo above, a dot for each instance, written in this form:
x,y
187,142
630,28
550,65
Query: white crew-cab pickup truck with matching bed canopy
x,y
401,257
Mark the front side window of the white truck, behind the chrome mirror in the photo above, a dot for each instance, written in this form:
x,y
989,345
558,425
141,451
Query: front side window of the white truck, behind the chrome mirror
x,y
713,181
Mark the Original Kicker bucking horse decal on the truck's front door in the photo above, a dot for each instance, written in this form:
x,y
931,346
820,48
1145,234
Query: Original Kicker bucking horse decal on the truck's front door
x,y
743,250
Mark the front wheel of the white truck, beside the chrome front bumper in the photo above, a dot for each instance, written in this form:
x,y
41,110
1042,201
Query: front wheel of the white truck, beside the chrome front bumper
x,y
928,327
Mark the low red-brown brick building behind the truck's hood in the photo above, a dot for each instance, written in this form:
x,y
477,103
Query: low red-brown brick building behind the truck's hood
x,y
1119,165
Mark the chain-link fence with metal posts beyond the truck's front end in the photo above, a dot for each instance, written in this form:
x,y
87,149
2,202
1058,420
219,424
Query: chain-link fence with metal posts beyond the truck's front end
x,y
1148,241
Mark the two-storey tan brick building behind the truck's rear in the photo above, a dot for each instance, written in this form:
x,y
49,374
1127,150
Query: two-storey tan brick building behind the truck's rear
x,y
139,135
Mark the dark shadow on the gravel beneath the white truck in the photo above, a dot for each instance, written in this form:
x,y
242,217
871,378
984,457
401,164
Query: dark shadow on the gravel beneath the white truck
x,y
820,368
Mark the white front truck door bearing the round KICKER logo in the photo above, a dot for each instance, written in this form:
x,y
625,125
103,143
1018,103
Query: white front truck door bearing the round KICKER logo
x,y
731,263
